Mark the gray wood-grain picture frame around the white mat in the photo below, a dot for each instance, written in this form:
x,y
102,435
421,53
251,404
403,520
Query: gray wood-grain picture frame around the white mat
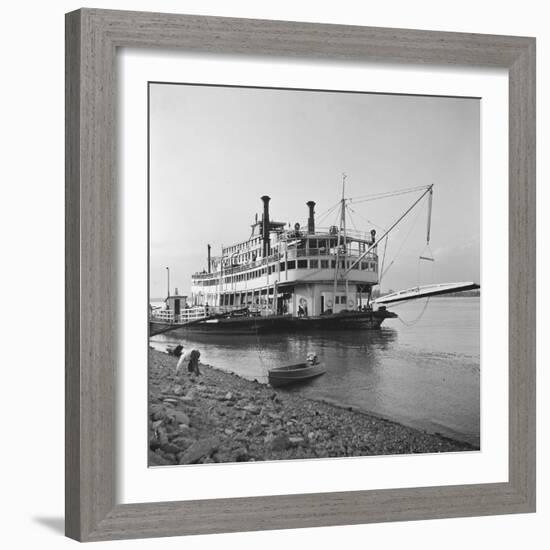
x,y
92,39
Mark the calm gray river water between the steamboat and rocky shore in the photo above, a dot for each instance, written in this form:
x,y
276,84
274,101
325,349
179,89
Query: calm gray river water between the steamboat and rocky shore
x,y
424,375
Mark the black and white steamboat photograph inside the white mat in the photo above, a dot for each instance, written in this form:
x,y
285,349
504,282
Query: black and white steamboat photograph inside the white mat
x,y
314,274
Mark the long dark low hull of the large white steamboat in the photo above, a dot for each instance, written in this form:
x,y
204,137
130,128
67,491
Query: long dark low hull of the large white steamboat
x,y
276,323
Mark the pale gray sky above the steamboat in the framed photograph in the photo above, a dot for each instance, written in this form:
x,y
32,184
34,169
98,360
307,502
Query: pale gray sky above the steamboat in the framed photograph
x,y
214,151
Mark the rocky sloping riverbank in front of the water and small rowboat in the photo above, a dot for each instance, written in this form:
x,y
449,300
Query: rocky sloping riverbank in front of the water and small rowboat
x,y
221,417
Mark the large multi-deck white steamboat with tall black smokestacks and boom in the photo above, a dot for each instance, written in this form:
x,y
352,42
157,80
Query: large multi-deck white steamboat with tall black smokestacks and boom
x,y
285,278
